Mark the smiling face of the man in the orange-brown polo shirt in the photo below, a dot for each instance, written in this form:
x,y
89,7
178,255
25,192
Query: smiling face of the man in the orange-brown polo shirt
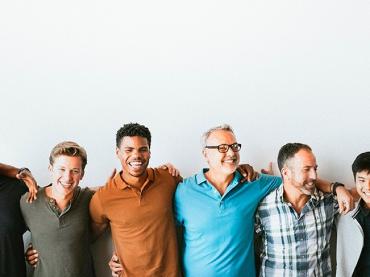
x,y
134,154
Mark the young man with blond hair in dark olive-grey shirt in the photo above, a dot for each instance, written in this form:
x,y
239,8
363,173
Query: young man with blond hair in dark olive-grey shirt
x,y
59,218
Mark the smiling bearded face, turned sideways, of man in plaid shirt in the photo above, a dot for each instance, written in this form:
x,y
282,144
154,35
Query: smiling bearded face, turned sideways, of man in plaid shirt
x,y
300,172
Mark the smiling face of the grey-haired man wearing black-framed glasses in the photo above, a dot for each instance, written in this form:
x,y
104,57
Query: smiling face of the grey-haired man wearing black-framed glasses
x,y
225,163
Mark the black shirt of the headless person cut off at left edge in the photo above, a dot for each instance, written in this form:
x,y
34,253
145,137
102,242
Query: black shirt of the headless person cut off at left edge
x,y
12,227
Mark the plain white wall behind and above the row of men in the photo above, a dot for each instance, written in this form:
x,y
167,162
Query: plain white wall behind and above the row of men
x,y
277,71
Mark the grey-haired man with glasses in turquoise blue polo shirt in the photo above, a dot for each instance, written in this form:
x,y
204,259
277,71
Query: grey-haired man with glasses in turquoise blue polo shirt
x,y
216,211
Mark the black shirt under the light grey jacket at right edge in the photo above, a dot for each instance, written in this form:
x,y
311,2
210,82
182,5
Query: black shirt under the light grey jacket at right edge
x,y
363,218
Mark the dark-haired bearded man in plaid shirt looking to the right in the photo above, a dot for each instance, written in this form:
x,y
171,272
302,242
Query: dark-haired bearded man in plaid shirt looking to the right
x,y
296,219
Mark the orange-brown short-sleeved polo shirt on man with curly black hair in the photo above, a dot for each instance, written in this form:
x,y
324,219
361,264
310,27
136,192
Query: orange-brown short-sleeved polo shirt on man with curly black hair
x,y
142,223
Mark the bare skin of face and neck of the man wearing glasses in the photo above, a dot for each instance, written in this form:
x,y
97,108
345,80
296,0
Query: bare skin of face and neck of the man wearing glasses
x,y
222,166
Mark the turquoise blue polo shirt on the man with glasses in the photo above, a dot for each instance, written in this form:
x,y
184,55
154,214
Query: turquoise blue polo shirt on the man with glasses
x,y
218,231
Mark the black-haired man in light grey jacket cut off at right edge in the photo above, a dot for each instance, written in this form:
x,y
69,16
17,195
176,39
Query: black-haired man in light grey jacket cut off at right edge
x,y
353,241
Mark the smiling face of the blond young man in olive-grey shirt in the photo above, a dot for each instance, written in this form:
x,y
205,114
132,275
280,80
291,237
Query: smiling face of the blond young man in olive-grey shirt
x,y
66,173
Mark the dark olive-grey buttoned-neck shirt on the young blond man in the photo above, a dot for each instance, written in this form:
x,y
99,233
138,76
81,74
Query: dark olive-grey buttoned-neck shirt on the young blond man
x,y
61,239
